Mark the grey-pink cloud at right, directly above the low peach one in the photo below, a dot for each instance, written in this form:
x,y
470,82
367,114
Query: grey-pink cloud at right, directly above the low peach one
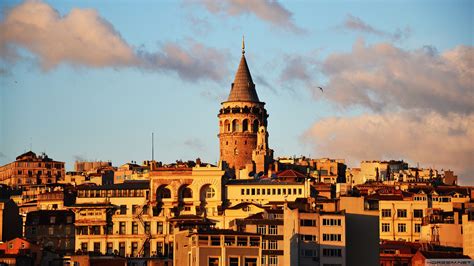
x,y
384,77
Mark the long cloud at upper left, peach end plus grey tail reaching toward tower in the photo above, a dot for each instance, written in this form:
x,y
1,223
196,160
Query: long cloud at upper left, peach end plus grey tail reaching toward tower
x,y
84,38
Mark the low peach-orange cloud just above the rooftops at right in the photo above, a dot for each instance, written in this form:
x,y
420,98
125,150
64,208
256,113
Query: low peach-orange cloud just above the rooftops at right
x,y
430,138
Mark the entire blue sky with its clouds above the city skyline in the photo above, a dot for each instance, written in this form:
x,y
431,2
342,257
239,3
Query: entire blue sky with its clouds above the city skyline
x,y
91,80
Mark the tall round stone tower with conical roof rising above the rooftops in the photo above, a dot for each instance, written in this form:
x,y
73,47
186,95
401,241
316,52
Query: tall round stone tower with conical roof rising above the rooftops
x,y
240,119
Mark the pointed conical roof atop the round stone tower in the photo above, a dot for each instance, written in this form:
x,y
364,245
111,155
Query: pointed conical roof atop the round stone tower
x,y
243,88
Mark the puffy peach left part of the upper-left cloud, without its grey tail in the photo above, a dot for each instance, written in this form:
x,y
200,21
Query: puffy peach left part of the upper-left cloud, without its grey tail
x,y
81,37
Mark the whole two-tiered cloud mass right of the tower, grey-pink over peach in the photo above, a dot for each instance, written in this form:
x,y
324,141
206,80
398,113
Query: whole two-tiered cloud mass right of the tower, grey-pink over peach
x,y
421,104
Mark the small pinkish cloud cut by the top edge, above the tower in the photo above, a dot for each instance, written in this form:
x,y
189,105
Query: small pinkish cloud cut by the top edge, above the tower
x,y
267,10
